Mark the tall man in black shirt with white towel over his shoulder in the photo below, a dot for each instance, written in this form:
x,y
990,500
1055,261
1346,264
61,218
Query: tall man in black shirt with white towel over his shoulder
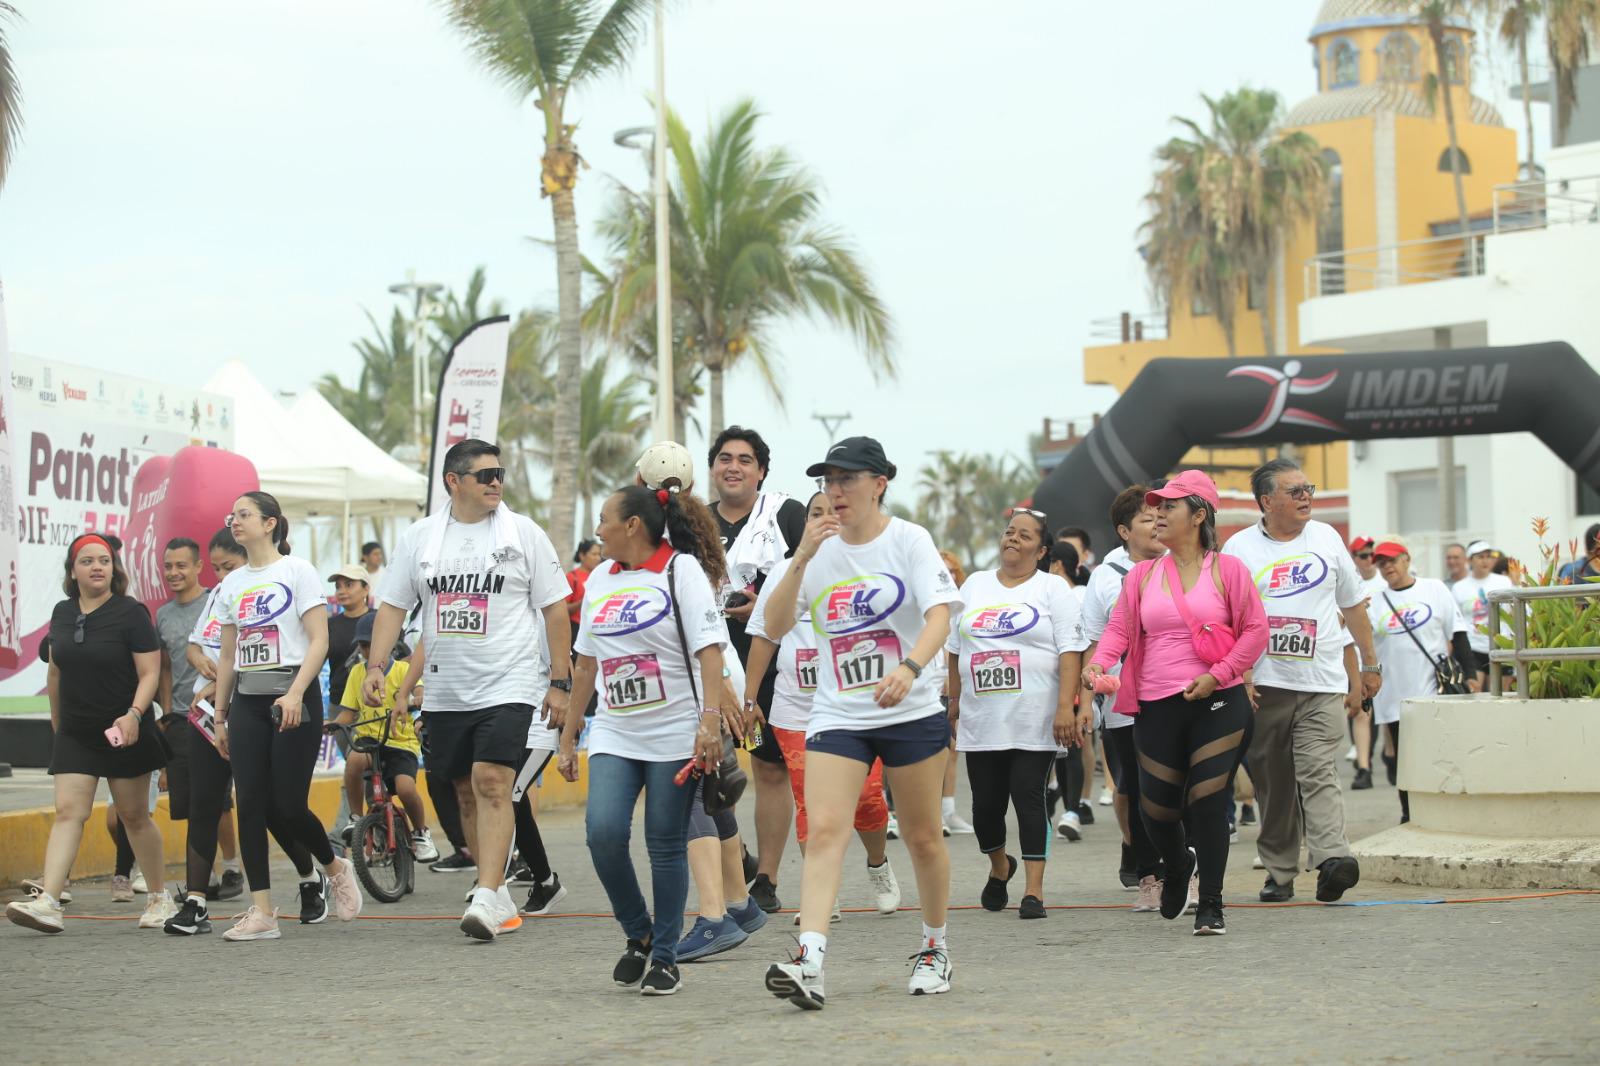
x,y
758,531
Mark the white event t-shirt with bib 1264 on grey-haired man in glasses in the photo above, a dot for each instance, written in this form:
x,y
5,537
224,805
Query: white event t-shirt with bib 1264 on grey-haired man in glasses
x,y
1305,585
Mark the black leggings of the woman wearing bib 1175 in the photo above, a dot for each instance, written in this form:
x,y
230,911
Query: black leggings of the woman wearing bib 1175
x,y
273,771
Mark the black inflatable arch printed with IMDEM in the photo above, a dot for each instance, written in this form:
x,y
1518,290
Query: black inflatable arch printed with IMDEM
x,y
1177,404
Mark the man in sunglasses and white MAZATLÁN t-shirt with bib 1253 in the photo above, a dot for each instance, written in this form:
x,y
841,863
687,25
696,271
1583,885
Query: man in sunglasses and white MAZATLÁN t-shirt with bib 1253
x,y
495,638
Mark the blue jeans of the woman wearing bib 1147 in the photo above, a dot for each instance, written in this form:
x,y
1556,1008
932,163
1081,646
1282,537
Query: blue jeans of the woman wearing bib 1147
x,y
614,790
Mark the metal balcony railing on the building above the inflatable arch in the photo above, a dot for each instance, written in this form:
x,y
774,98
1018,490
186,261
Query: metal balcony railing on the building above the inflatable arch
x,y
1518,207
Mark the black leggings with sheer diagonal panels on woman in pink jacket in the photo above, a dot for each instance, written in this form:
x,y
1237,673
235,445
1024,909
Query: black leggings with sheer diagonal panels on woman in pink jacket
x,y
1188,756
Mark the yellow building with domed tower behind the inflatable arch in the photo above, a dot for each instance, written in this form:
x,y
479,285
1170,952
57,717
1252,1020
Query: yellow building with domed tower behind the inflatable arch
x,y
1388,154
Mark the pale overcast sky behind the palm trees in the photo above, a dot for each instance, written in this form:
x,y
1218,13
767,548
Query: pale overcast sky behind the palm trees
x,y
206,180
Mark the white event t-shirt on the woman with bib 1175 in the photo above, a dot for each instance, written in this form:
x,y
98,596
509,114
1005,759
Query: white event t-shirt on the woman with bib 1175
x,y
266,607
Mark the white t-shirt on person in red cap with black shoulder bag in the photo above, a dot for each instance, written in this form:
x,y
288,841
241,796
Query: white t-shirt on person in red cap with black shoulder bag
x,y
1430,611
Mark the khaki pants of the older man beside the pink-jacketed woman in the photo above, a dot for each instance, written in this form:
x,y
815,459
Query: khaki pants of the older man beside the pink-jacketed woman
x,y
1294,763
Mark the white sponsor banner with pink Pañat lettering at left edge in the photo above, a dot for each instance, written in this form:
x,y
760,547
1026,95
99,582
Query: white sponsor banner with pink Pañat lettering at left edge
x,y
79,439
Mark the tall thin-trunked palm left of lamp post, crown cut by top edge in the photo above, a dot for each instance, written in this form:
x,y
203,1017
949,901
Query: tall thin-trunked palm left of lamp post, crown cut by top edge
x,y
545,50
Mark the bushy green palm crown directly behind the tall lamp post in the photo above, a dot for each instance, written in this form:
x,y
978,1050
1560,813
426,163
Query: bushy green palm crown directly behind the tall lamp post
x,y
750,250
